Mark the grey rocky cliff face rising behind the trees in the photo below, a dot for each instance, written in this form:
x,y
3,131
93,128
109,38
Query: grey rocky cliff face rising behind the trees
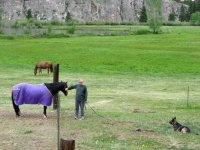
x,y
82,10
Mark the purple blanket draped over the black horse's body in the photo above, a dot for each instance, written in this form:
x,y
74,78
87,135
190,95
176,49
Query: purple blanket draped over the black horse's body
x,y
24,93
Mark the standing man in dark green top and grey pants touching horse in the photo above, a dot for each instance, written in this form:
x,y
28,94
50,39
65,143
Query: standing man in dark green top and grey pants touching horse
x,y
81,97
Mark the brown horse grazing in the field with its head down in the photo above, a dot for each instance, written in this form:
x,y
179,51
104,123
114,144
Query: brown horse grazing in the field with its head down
x,y
43,65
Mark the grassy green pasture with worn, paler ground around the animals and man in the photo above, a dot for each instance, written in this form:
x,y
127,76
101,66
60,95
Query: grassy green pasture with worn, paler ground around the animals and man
x,y
149,73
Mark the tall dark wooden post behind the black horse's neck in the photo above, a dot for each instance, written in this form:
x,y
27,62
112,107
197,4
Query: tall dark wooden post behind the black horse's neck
x,y
55,79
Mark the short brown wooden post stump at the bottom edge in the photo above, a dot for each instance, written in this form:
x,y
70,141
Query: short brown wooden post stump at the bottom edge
x,y
67,144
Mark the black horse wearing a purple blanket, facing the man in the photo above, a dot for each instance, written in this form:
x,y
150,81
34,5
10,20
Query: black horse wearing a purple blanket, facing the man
x,y
25,93
